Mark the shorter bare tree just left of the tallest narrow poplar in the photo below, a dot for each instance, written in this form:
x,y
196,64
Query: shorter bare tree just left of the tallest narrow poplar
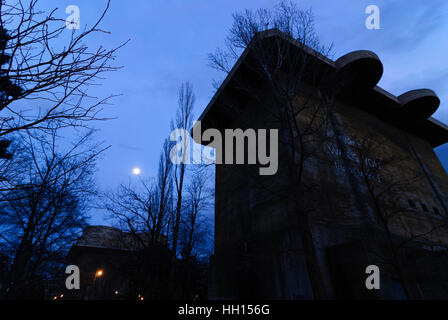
x,y
144,210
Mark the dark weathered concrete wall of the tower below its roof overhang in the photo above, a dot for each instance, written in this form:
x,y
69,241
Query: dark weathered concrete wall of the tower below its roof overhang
x,y
258,251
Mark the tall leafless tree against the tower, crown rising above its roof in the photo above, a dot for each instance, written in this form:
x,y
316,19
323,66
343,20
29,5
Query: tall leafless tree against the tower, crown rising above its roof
x,y
286,71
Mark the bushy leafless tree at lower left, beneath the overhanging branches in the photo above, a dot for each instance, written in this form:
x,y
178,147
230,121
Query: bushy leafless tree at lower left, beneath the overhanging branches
x,y
42,214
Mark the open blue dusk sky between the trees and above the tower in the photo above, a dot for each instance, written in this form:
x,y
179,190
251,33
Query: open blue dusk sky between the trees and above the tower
x,y
170,41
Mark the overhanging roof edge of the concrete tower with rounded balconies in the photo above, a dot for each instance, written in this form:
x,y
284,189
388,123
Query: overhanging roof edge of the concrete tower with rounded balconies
x,y
360,71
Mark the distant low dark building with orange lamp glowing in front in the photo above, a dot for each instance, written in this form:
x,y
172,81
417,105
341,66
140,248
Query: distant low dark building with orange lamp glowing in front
x,y
115,265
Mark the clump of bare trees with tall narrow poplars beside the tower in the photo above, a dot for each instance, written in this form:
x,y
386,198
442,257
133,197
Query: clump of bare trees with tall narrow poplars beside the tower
x,y
167,217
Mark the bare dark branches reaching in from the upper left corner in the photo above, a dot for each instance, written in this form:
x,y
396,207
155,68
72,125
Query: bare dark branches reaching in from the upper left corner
x,y
46,69
